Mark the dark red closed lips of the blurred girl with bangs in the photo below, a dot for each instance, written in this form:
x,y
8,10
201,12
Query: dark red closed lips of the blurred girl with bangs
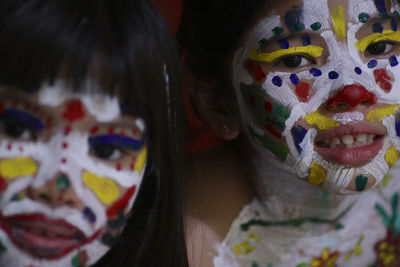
x,y
42,237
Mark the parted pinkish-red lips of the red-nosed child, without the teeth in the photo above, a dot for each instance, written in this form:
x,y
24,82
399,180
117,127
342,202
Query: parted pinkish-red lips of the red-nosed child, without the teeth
x,y
351,156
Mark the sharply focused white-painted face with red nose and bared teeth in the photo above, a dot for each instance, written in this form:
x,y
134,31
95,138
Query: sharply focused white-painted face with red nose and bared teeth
x,y
318,83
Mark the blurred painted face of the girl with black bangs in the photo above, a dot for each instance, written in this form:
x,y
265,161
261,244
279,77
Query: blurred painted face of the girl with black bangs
x,y
70,169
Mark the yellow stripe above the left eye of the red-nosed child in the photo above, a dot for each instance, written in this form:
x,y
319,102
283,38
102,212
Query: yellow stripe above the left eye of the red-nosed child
x,y
311,50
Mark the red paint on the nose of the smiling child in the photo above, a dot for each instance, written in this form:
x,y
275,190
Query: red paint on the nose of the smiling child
x,y
351,95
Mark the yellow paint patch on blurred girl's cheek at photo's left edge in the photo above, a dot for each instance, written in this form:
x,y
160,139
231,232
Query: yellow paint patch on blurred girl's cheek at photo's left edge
x,y
18,167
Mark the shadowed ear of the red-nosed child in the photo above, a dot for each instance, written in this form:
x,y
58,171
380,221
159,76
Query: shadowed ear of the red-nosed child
x,y
207,100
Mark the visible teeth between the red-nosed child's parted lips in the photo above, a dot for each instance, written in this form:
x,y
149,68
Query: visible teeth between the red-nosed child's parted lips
x,y
348,141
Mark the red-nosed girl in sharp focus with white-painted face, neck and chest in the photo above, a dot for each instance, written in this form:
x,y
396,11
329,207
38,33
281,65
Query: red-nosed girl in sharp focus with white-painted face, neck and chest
x,y
314,88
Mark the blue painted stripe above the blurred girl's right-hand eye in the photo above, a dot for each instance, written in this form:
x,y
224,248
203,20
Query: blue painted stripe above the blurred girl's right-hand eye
x,y
119,140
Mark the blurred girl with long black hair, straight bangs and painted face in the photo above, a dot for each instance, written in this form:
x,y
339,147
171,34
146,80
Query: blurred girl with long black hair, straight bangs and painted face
x,y
89,136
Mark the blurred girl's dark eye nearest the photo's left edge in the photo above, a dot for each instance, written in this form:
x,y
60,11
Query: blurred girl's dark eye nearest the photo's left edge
x,y
17,129
